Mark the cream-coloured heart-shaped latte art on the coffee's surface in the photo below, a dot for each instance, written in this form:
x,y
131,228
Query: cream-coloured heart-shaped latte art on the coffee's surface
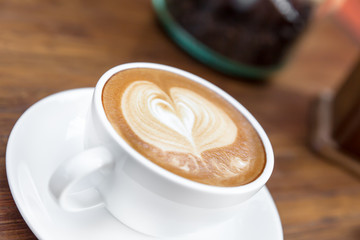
x,y
180,122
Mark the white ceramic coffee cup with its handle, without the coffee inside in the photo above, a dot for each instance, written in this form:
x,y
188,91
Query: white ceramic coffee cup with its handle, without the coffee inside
x,y
142,195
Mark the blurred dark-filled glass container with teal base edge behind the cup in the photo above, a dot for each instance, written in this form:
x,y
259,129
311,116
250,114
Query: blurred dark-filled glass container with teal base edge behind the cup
x,y
249,38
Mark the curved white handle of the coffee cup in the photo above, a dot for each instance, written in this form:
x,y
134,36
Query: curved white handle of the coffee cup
x,y
74,182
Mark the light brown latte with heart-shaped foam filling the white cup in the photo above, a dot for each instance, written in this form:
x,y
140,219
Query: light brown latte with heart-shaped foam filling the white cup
x,y
183,126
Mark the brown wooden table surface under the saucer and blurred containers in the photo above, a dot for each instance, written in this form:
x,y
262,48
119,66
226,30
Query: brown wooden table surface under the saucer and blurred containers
x,y
47,46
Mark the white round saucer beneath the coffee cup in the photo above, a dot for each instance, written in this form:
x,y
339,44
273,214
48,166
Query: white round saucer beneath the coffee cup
x,y
55,125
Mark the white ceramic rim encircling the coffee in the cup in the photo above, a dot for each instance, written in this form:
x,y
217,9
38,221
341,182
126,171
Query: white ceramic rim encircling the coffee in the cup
x,y
249,187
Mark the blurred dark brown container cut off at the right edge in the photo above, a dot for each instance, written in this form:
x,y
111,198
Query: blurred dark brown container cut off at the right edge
x,y
335,131
